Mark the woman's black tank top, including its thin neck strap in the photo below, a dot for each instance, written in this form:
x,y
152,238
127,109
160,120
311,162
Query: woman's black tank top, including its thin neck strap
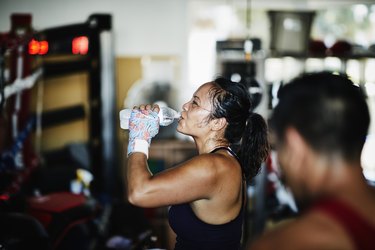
x,y
194,234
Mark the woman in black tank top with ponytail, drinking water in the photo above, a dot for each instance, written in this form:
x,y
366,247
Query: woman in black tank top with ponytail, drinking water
x,y
206,193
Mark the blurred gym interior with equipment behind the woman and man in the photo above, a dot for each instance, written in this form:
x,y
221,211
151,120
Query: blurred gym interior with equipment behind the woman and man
x,y
67,69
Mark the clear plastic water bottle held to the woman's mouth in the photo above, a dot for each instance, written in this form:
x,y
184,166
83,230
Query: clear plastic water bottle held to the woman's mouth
x,y
166,117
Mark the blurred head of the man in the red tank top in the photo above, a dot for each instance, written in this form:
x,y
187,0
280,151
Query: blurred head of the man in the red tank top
x,y
319,116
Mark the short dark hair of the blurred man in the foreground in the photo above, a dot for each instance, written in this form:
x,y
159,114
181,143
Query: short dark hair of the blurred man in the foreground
x,y
328,110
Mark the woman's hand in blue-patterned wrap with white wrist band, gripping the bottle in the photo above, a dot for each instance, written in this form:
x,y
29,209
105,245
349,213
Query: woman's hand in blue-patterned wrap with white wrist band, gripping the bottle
x,y
143,126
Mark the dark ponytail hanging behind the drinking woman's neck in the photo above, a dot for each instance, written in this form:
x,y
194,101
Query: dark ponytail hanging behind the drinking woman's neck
x,y
254,147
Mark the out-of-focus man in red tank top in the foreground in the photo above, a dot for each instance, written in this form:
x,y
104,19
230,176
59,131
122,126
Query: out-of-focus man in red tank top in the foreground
x,y
320,126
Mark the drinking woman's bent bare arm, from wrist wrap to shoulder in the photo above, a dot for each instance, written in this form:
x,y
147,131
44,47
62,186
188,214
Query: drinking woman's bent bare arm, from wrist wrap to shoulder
x,y
192,180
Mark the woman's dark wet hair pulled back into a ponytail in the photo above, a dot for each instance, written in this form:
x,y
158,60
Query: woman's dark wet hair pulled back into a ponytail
x,y
246,131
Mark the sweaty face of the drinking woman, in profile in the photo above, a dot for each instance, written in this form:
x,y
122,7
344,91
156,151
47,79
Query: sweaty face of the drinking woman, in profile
x,y
195,113
